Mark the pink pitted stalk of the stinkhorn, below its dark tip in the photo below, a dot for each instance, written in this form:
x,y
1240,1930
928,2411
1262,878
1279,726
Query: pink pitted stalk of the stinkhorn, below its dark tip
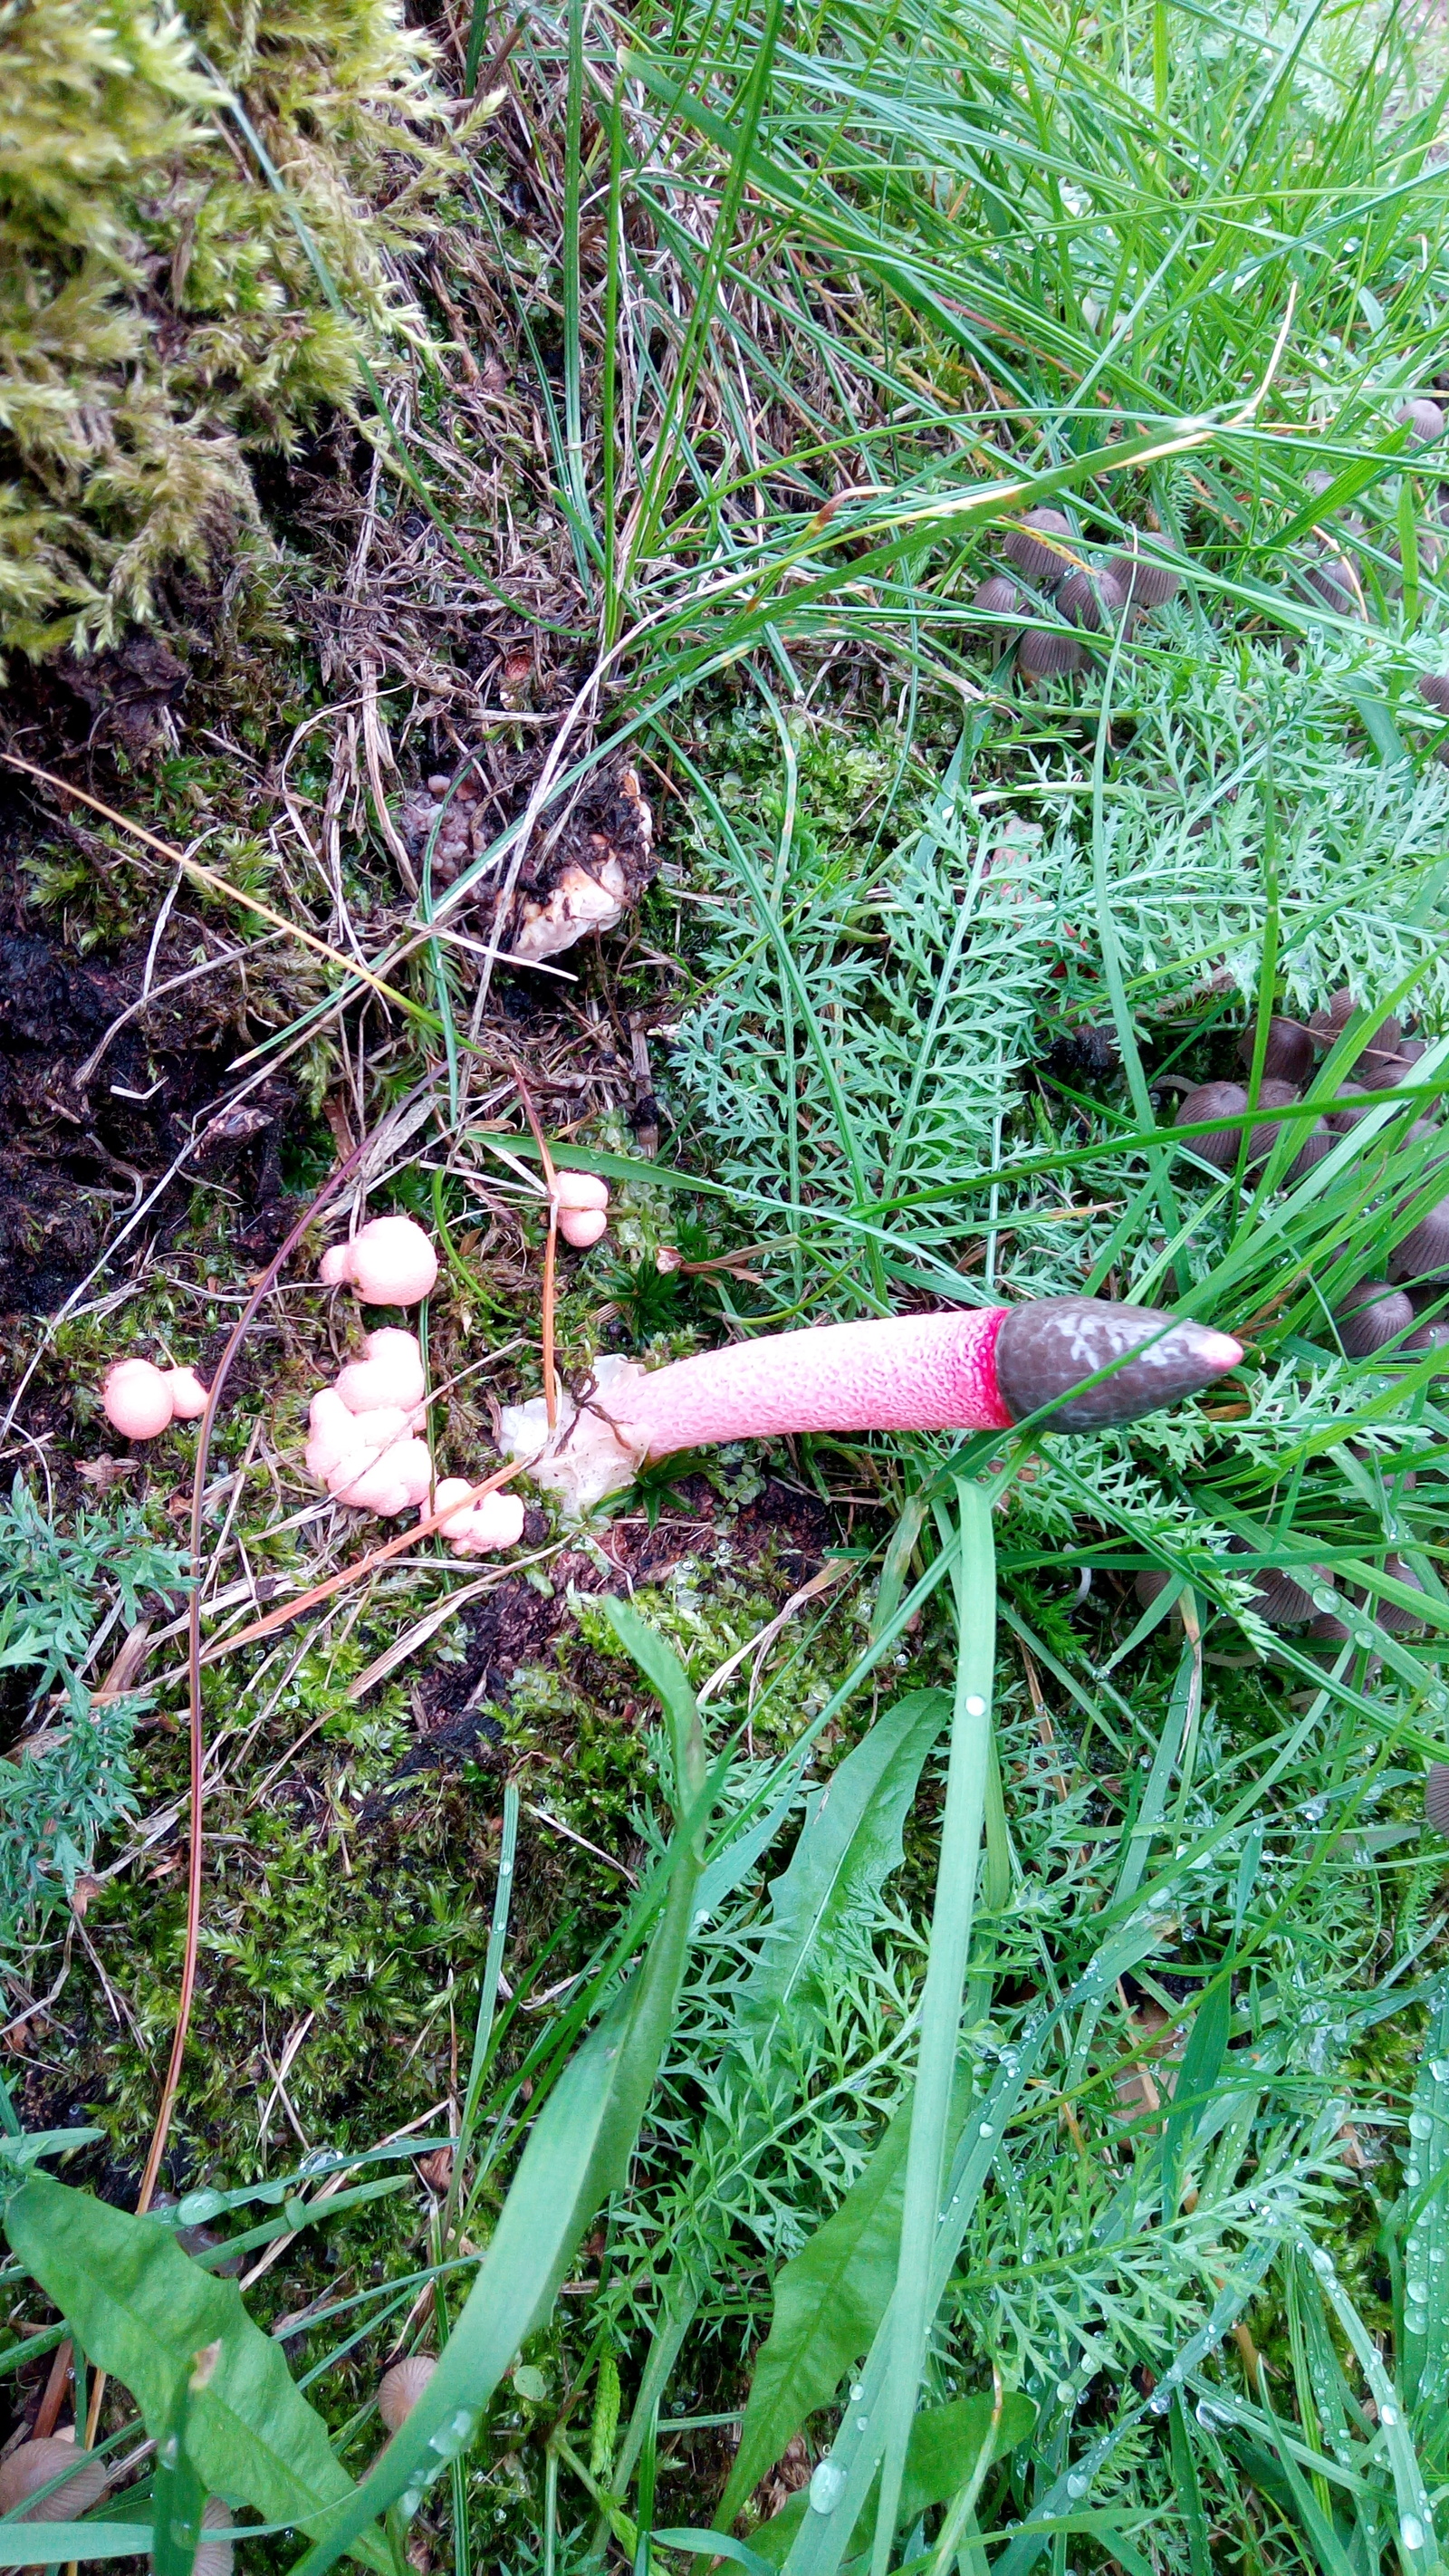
x,y
907,1374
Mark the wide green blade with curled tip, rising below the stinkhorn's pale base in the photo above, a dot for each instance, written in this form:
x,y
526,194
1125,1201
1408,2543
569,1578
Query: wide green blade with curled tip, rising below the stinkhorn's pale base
x,y
575,2157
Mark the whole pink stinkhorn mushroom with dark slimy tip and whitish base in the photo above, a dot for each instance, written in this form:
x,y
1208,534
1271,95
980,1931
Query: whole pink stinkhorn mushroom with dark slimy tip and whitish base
x,y
982,1369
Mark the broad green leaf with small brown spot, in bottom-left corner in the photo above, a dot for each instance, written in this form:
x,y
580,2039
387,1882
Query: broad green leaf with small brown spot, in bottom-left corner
x,y
143,2312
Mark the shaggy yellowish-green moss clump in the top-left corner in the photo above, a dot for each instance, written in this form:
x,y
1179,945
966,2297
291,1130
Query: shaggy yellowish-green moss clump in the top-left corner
x,y
158,313
